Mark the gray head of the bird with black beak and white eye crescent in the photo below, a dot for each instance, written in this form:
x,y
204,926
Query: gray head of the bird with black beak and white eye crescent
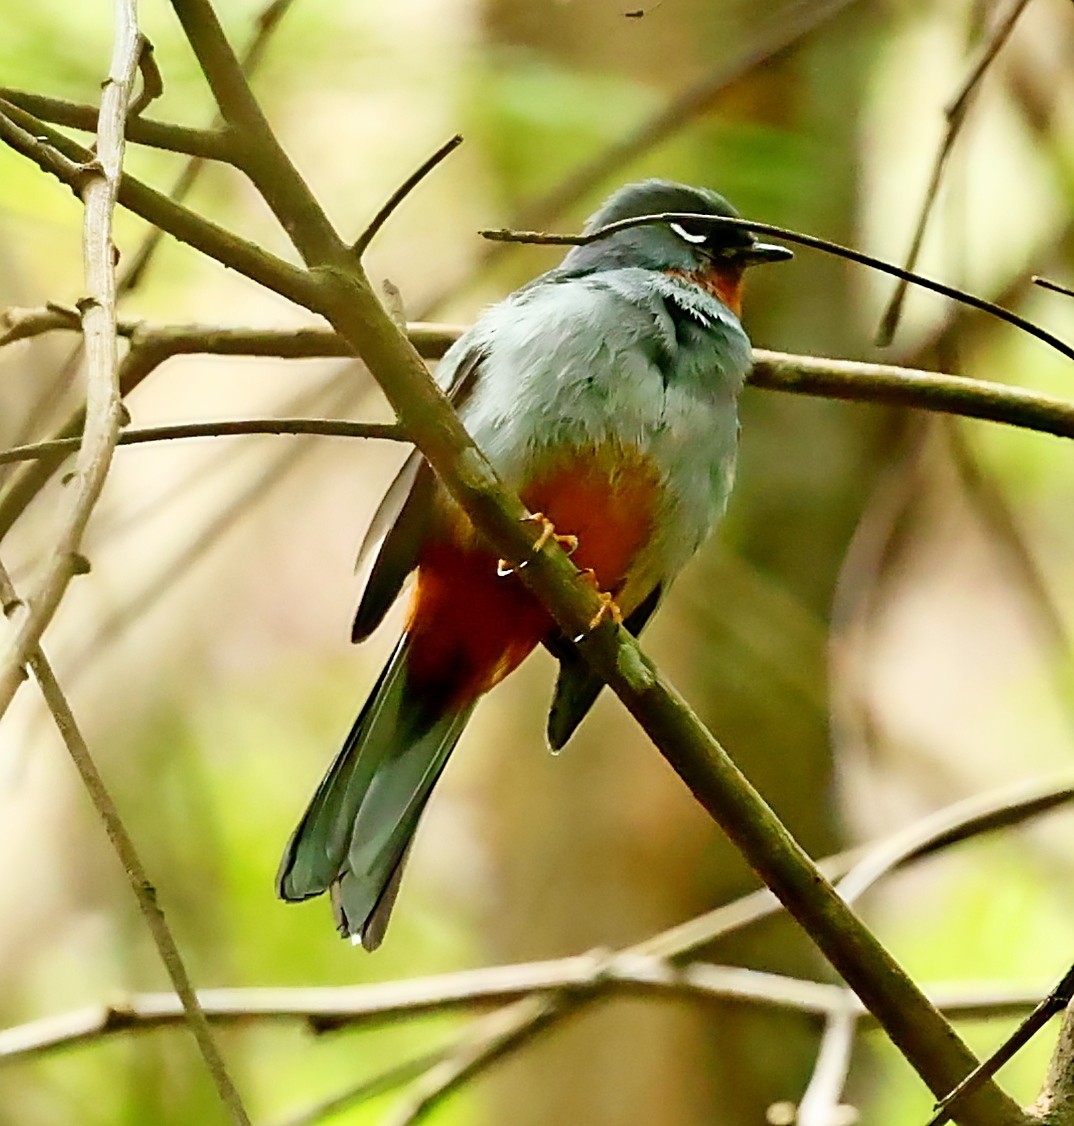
x,y
686,247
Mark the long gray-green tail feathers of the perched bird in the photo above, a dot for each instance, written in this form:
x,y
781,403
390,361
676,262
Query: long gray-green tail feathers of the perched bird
x,y
356,834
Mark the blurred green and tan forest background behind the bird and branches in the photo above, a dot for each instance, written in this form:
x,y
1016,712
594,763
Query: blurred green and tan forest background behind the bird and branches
x,y
878,630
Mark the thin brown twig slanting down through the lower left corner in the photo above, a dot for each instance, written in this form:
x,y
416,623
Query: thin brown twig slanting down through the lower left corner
x,y
189,1008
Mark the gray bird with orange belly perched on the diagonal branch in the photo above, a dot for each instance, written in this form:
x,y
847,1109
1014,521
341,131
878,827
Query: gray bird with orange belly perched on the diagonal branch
x,y
605,394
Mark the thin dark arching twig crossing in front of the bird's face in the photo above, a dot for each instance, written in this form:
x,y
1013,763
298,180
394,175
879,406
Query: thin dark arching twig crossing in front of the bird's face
x,y
544,238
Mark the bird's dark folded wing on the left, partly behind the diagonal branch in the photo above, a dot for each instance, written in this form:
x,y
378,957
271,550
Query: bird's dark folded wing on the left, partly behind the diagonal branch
x,y
399,526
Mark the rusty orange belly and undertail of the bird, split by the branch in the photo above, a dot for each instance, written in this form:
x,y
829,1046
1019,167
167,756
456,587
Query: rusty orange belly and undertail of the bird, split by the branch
x,y
470,628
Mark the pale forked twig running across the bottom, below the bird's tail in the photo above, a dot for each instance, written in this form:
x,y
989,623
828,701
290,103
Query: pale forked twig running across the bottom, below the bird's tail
x,y
327,1009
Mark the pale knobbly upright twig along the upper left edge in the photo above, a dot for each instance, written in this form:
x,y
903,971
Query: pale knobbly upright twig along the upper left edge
x,y
100,189
